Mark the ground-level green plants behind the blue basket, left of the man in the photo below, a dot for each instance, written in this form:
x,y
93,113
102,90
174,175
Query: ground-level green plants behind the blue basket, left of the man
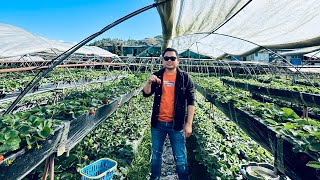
x,y
115,138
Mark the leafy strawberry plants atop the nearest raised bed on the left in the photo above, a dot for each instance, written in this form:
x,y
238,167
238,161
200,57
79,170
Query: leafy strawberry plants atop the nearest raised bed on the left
x,y
26,129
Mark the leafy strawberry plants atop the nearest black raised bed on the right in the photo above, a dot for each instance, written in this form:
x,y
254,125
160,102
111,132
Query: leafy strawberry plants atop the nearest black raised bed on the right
x,y
304,133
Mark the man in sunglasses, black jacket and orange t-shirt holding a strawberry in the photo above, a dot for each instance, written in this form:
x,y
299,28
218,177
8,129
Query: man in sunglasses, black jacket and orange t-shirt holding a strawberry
x,y
174,93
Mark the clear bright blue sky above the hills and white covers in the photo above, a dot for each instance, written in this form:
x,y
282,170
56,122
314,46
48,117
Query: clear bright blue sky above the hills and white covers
x,y
74,20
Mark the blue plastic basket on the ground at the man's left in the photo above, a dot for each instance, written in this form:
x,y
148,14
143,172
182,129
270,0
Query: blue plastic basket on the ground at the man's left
x,y
102,169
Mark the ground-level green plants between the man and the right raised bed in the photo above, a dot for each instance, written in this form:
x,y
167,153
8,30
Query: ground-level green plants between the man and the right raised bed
x,y
222,146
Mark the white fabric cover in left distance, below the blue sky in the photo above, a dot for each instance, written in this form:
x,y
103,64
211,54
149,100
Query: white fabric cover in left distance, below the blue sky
x,y
15,41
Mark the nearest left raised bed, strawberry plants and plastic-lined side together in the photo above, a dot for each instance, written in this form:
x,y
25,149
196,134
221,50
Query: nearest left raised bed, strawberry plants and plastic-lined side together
x,y
77,104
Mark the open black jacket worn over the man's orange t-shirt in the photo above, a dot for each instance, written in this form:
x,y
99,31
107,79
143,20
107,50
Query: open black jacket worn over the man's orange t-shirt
x,y
184,96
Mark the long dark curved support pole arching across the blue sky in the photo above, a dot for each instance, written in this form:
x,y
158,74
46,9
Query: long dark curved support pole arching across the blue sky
x,y
67,53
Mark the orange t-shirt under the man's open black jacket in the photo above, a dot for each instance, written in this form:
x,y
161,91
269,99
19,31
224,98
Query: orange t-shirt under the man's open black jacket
x,y
167,98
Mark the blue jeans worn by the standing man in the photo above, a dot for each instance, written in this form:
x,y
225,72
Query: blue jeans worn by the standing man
x,y
178,145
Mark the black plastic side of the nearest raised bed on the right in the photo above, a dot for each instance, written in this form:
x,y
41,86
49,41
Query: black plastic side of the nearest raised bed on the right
x,y
291,163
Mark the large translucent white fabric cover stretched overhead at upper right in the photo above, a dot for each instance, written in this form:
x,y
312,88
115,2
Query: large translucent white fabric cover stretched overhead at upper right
x,y
266,23
